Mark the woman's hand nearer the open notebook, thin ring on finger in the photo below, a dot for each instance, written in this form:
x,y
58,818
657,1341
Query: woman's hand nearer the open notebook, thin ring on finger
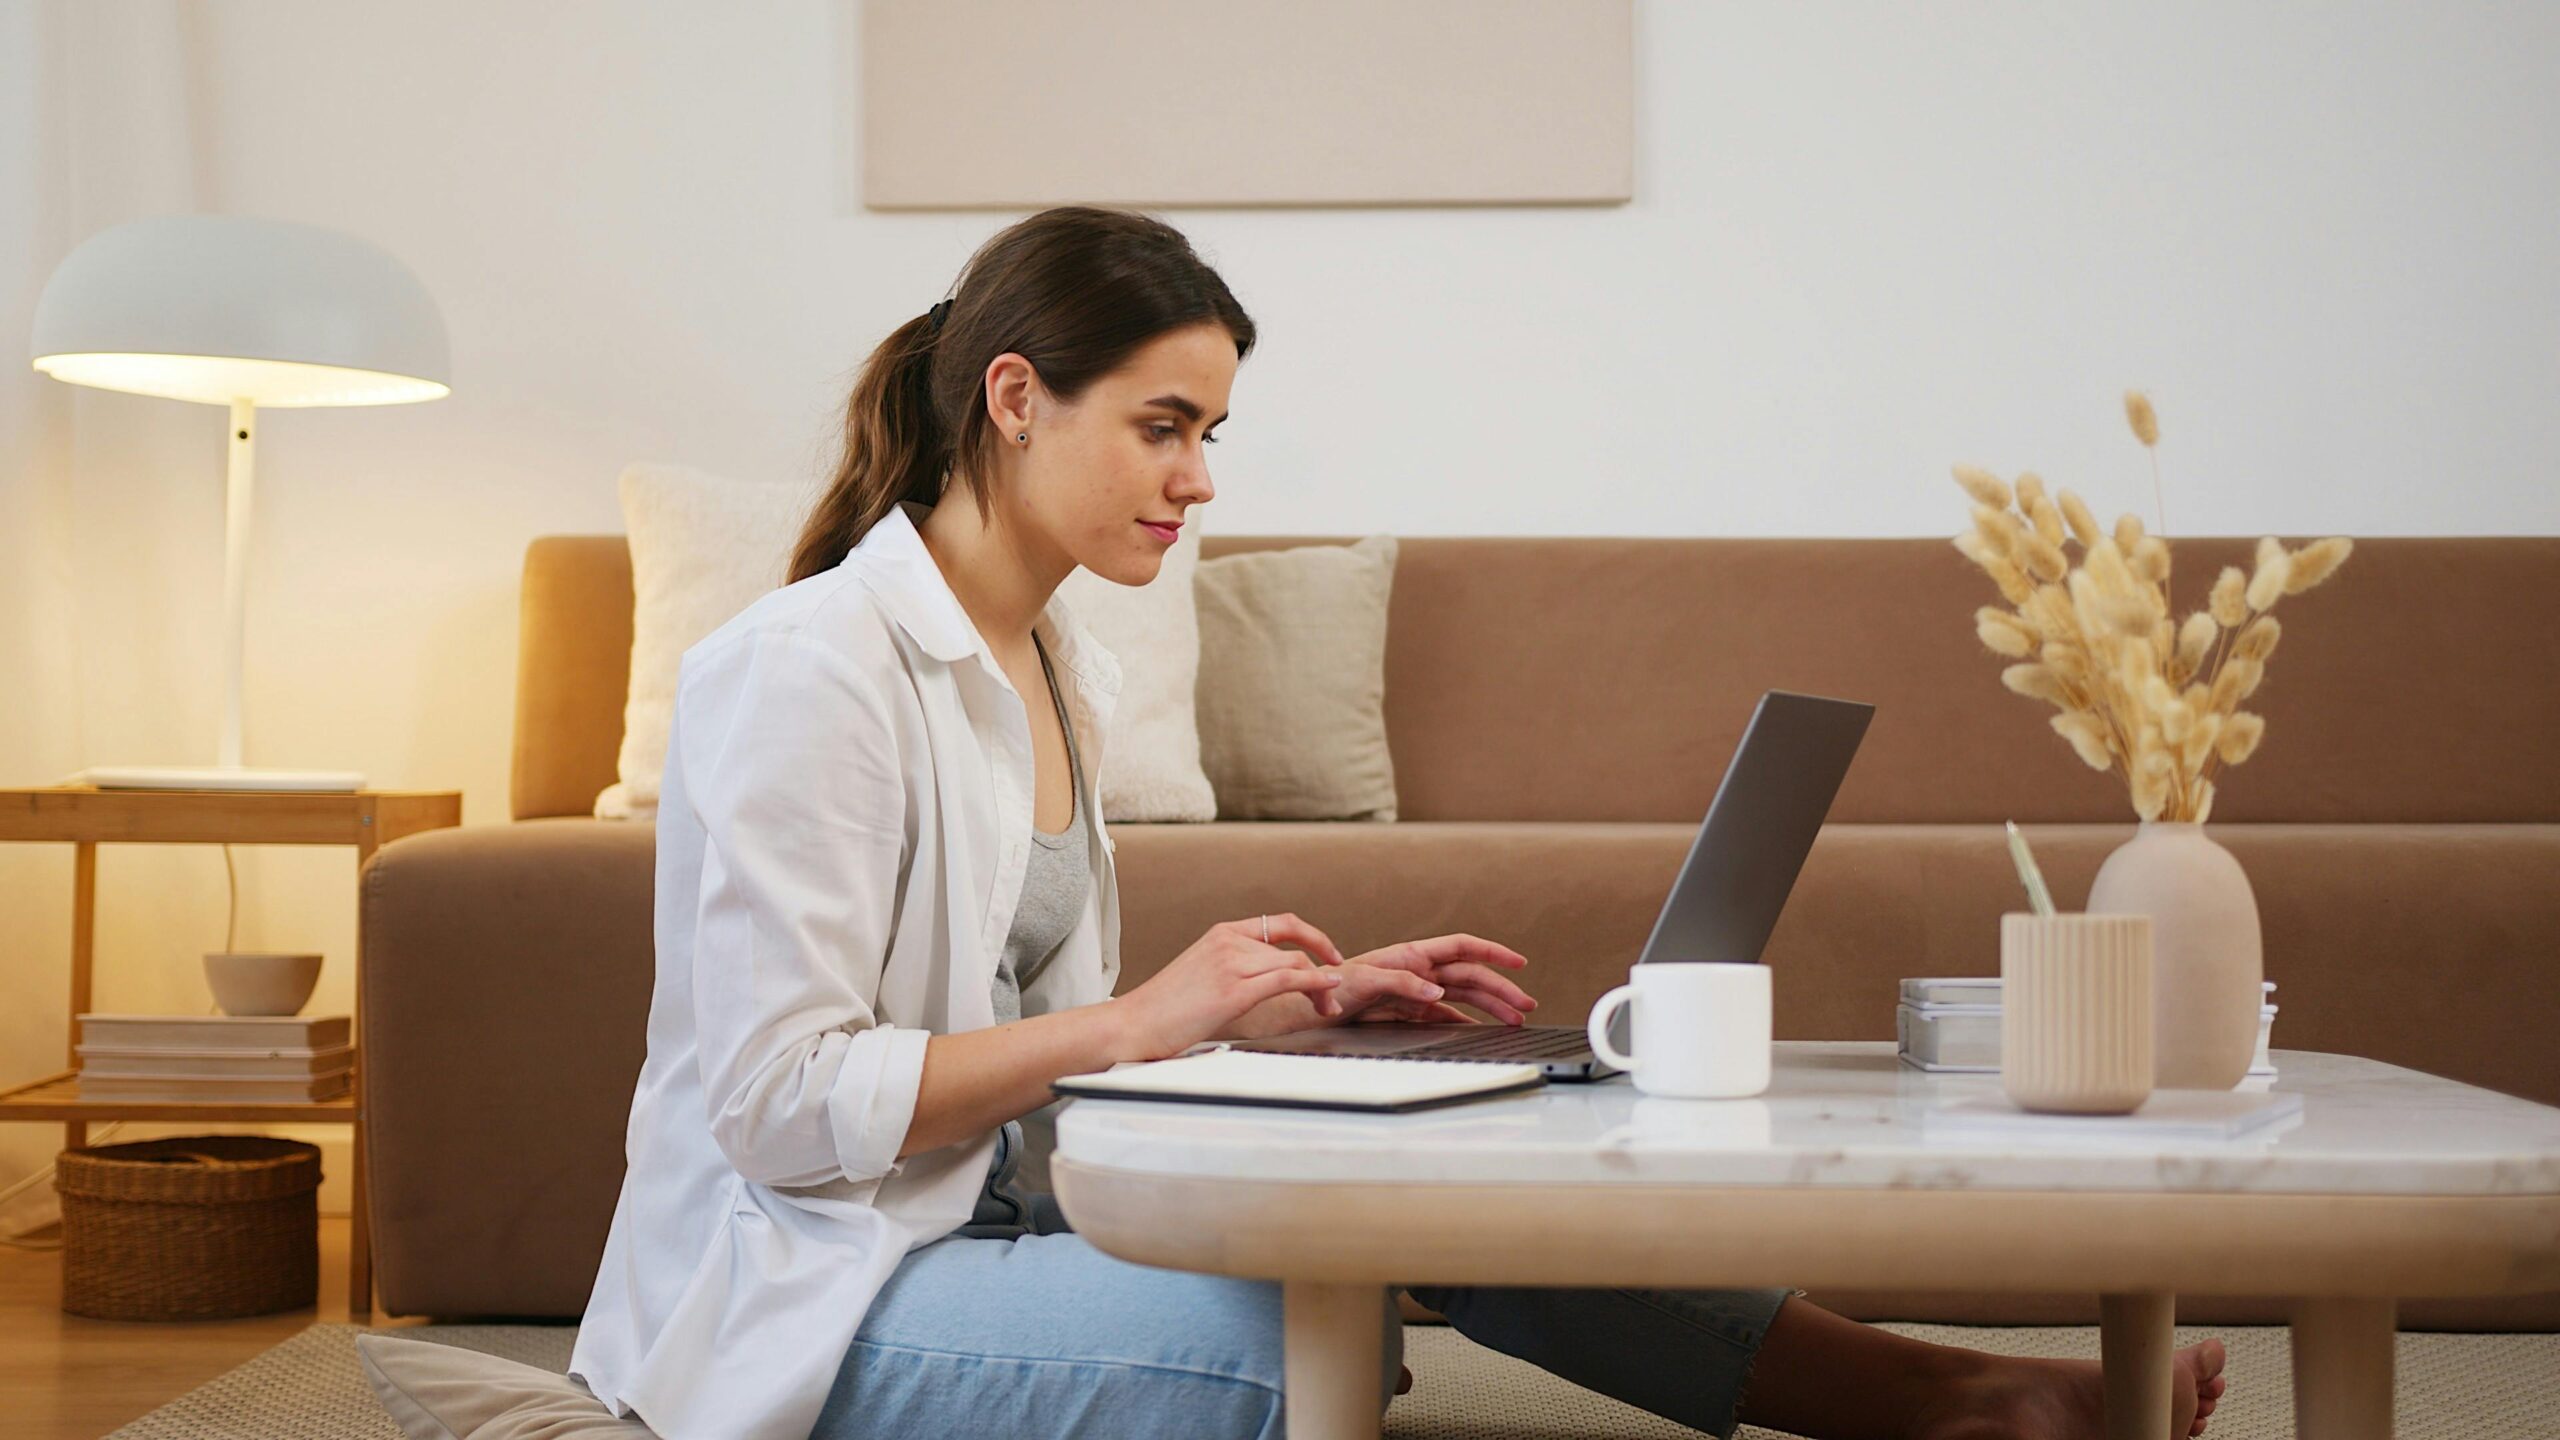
x,y
1225,975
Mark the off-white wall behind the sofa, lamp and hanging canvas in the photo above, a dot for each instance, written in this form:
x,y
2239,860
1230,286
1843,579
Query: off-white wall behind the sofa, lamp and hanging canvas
x,y
1868,242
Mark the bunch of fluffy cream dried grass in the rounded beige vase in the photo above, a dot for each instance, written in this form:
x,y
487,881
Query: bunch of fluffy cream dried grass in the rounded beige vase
x,y
2136,693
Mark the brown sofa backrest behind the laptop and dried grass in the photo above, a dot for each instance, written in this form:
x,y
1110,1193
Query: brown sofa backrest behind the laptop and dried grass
x,y
1612,678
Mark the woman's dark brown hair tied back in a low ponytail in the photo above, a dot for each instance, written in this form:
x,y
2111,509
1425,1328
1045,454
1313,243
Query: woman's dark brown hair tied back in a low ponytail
x,y
1074,291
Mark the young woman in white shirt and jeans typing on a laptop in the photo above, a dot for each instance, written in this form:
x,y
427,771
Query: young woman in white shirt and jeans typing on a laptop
x,y
887,921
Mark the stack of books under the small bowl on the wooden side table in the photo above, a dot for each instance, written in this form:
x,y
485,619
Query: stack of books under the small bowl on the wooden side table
x,y
242,1060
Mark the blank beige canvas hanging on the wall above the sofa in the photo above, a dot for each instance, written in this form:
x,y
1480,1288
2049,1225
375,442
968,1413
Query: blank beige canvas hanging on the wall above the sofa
x,y
1025,104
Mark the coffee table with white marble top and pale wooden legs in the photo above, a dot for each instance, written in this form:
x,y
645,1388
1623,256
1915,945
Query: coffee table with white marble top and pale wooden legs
x,y
2387,1185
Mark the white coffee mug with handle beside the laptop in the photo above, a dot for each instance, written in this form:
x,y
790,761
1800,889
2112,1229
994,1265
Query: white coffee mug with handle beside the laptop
x,y
1701,1029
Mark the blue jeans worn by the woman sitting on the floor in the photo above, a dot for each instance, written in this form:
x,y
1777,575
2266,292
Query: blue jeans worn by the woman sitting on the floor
x,y
1018,1326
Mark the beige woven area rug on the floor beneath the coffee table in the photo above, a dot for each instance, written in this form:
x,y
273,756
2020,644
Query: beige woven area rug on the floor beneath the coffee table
x,y
2474,1387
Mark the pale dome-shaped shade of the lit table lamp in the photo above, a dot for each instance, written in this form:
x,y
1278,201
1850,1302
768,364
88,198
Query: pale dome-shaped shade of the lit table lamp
x,y
224,309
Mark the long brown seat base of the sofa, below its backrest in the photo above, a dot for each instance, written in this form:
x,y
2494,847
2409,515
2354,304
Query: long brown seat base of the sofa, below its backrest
x,y
508,983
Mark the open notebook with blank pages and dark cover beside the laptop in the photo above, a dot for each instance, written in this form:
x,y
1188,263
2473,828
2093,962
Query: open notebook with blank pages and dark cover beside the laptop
x,y
1304,1083
